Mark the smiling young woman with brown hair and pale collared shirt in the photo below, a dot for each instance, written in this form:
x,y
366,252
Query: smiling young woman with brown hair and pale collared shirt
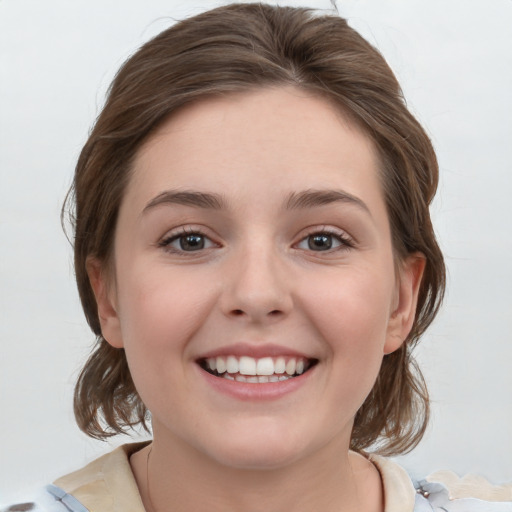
x,y
254,252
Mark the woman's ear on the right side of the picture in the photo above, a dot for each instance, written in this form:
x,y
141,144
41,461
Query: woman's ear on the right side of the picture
x,y
402,317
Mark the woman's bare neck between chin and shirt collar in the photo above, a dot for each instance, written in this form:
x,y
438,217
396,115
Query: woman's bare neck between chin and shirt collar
x,y
181,479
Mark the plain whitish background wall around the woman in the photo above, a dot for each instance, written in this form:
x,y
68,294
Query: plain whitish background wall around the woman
x,y
57,57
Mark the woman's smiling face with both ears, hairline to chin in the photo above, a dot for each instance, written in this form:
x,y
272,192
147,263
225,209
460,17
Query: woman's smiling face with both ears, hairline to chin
x,y
255,290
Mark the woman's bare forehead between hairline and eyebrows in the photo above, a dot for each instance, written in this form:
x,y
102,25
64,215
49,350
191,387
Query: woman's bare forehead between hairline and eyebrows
x,y
259,141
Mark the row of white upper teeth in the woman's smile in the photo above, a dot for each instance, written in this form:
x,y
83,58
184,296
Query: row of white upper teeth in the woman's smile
x,y
246,365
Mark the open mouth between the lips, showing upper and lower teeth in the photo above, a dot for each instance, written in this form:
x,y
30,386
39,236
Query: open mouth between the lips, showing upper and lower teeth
x,y
256,370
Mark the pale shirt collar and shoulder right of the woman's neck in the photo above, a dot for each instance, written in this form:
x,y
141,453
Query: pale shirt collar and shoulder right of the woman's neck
x,y
442,491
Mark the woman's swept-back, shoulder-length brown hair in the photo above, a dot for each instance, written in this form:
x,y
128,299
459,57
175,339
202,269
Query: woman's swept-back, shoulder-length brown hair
x,y
234,48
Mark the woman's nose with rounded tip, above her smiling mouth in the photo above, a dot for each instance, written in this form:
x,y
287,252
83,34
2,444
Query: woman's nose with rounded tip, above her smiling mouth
x,y
257,288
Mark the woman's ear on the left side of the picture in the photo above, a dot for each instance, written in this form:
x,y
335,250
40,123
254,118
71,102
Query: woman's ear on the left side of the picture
x,y
105,300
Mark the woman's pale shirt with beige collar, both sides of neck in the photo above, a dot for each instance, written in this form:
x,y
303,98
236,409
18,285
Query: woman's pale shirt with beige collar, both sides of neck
x,y
108,485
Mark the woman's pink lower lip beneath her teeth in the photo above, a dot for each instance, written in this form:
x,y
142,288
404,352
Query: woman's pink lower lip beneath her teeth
x,y
256,391
